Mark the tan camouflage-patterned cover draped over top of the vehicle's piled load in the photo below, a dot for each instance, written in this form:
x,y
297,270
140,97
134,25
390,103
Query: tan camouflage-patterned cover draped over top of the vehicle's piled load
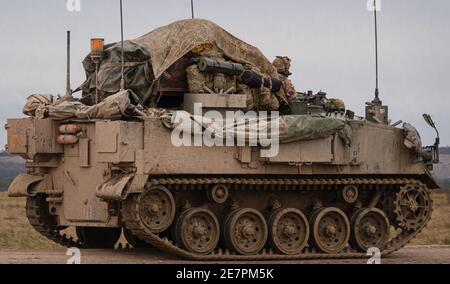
x,y
168,44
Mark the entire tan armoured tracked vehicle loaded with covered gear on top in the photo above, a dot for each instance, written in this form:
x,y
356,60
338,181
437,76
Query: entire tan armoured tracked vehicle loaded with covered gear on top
x,y
338,185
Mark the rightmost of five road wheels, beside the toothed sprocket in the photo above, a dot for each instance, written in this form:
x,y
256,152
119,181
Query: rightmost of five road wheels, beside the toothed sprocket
x,y
370,228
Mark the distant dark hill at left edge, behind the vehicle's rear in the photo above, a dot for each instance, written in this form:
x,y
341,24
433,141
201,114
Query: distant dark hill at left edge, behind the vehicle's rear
x,y
10,167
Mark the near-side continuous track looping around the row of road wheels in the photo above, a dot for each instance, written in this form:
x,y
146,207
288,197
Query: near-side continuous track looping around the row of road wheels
x,y
131,218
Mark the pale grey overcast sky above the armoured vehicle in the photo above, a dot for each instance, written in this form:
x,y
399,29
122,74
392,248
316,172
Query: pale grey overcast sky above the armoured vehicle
x,y
330,42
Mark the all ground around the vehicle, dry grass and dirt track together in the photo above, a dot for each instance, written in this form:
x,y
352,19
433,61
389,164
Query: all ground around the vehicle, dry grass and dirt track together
x,y
19,243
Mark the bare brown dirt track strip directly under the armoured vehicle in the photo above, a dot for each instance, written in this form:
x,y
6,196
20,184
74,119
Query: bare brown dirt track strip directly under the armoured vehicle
x,y
408,255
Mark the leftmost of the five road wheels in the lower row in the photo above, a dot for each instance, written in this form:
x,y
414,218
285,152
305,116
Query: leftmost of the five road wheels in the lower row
x,y
198,231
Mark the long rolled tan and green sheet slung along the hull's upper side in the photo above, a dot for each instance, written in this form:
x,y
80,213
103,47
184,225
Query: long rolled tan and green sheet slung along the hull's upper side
x,y
292,128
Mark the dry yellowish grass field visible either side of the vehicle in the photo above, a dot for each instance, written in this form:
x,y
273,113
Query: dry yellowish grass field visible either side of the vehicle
x,y
16,233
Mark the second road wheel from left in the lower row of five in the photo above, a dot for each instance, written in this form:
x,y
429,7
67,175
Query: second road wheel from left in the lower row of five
x,y
246,231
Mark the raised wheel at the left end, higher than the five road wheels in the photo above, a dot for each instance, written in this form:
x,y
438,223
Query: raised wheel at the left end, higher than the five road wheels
x,y
156,208
